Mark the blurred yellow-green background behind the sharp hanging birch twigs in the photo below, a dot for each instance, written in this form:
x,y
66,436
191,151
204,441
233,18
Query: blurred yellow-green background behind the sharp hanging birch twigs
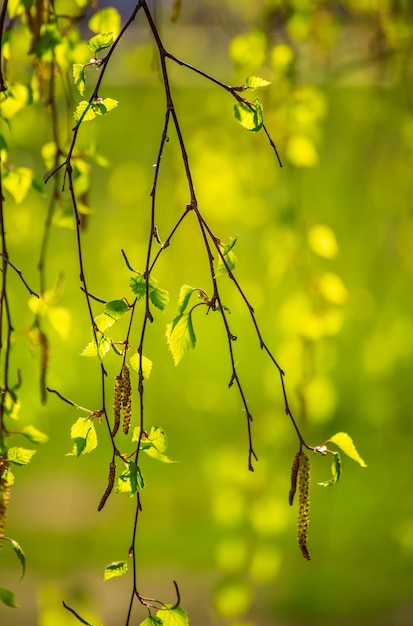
x,y
325,257
